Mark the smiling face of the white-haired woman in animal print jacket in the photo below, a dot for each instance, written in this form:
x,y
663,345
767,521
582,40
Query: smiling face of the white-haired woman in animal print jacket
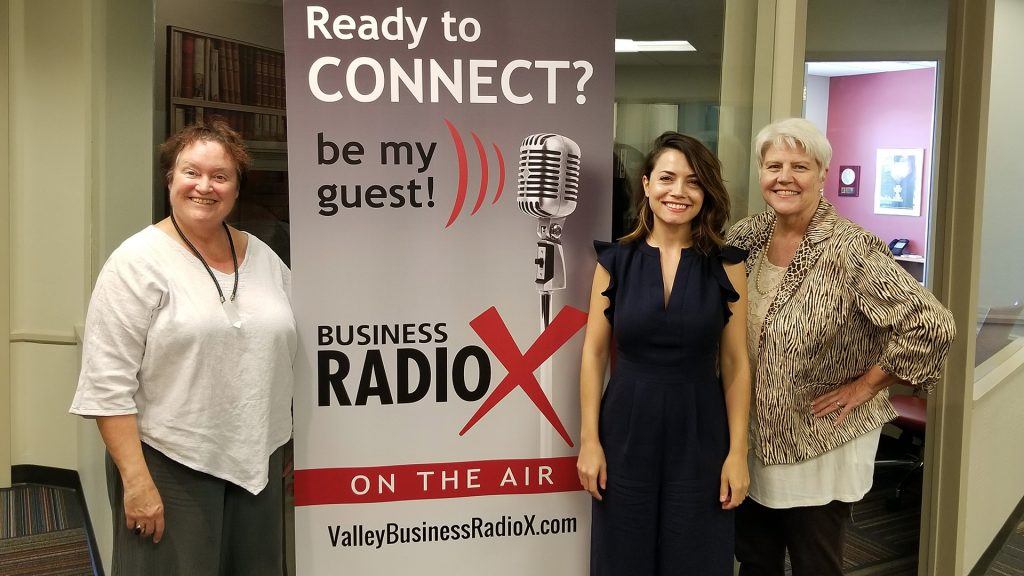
x,y
791,182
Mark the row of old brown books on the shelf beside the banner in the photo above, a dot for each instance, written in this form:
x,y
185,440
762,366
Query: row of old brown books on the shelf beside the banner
x,y
218,70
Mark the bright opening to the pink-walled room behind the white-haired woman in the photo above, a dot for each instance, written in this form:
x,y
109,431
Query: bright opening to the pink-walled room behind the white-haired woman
x,y
880,118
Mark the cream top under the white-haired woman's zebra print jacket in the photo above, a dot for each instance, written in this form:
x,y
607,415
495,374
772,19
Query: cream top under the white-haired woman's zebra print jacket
x,y
842,474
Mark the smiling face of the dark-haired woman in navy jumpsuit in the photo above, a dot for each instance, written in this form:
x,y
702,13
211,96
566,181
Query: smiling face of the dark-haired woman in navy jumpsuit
x,y
673,191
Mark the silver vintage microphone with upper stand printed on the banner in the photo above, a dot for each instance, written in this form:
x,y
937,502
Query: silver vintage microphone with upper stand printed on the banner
x,y
548,190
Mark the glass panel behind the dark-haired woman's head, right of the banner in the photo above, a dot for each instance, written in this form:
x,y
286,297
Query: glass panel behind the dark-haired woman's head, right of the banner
x,y
681,92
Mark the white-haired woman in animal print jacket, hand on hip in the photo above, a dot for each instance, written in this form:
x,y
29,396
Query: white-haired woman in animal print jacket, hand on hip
x,y
833,322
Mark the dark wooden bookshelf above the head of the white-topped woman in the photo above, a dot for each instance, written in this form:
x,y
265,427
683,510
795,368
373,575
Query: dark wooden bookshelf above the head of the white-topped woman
x,y
244,84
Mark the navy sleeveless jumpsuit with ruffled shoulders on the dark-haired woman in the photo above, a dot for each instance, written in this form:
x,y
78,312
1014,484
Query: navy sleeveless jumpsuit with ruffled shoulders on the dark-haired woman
x,y
663,422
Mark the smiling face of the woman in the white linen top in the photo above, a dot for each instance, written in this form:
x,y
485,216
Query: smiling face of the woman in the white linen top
x,y
204,185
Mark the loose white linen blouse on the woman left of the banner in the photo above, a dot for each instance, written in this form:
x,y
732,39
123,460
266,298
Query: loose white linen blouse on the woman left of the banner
x,y
158,344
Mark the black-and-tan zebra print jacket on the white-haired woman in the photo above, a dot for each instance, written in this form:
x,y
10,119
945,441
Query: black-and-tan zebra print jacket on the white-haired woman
x,y
844,306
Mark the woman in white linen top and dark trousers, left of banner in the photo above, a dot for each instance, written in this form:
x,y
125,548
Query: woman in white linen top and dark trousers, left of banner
x,y
187,368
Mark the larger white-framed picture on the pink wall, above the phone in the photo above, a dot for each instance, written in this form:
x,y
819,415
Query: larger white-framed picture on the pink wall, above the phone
x,y
899,179
